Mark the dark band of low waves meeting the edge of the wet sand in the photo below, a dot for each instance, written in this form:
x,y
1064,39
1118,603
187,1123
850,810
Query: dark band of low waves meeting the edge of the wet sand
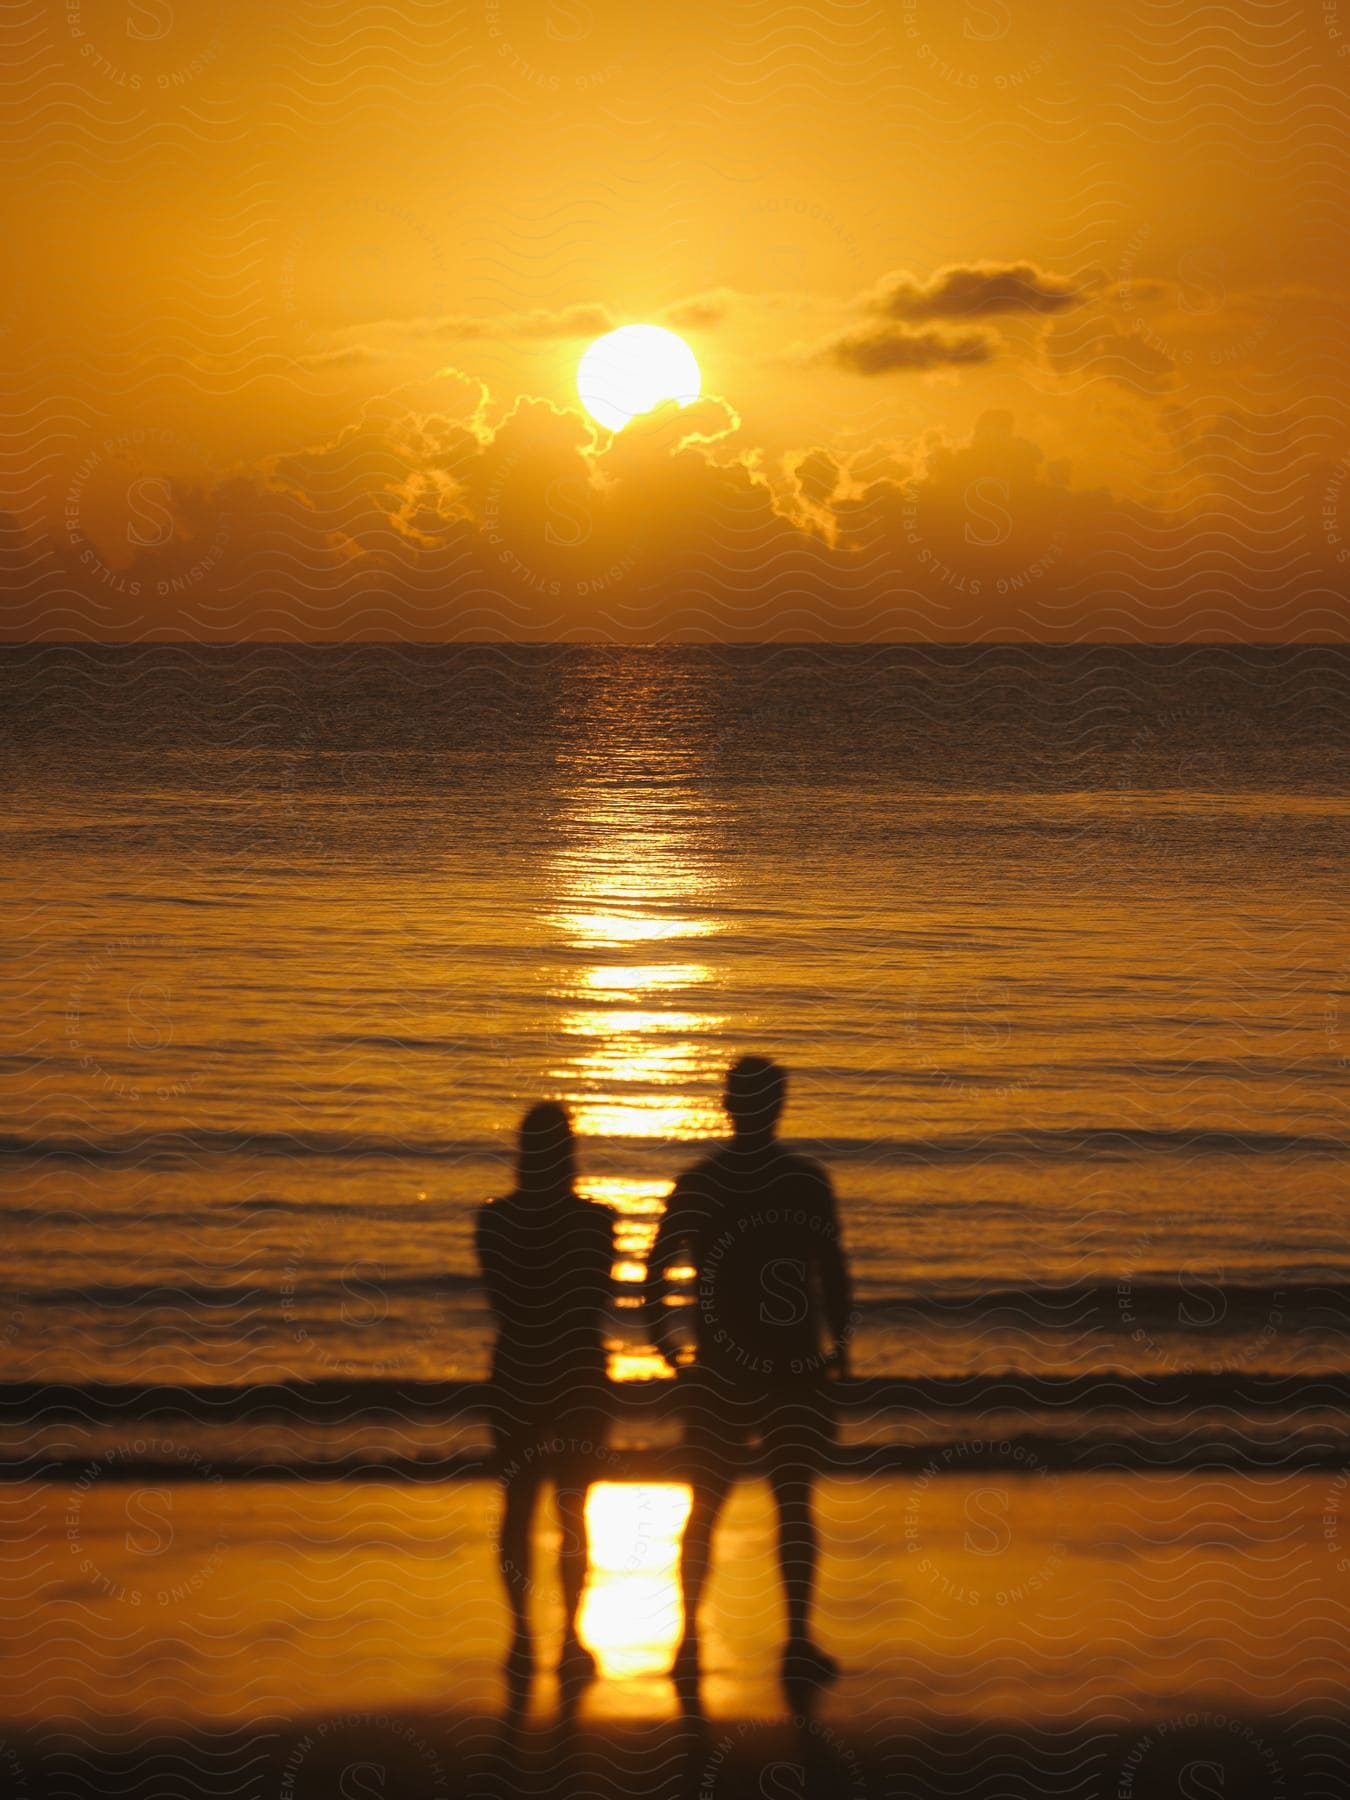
x,y
408,1430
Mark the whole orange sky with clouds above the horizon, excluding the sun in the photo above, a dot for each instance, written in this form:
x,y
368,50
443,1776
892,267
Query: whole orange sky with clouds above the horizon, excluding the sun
x,y
1016,319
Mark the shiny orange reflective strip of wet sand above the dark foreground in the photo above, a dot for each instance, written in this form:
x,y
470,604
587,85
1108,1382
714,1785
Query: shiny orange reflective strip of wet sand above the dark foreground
x,y
363,1597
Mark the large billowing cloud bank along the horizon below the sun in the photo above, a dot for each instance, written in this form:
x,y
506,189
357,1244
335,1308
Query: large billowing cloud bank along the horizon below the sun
x,y
453,519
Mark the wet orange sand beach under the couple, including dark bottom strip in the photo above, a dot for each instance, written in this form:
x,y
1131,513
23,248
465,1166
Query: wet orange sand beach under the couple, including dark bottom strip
x,y
1048,1635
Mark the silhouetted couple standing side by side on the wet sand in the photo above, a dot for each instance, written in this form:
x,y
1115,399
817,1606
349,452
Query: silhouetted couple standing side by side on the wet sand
x,y
757,1225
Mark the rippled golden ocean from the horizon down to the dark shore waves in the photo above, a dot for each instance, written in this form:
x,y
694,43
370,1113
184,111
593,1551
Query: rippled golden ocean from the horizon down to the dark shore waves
x,y
1052,942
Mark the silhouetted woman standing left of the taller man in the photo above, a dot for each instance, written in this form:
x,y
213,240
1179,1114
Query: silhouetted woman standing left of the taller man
x,y
546,1263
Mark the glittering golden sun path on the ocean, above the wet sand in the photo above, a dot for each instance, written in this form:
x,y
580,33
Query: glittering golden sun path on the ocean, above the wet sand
x,y
636,1059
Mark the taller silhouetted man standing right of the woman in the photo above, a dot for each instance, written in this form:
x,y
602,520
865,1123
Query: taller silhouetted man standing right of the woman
x,y
760,1232
